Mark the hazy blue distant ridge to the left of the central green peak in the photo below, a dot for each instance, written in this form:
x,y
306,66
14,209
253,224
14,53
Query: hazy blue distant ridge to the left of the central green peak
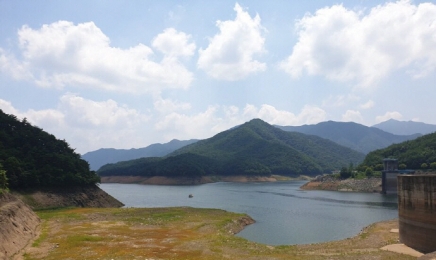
x,y
104,156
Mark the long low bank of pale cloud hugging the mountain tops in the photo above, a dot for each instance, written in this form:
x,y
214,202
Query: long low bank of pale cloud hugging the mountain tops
x,y
91,125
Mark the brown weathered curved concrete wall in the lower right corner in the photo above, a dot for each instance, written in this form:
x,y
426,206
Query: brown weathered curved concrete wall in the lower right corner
x,y
417,211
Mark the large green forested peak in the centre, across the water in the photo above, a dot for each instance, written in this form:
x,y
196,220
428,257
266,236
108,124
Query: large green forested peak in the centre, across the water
x,y
254,148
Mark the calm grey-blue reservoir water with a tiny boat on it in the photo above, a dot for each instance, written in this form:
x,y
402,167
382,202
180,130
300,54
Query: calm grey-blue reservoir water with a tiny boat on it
x,y
284,214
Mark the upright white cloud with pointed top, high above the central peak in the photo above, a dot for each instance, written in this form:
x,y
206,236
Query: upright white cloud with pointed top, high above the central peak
x,y
230,54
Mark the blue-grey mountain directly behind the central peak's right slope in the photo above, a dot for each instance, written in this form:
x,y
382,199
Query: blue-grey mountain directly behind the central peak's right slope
x,y
355,136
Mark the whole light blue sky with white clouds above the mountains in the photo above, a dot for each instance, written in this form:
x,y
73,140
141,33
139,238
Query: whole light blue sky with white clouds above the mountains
x,y
127,74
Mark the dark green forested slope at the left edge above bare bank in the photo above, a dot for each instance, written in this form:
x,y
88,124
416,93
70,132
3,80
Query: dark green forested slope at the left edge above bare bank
x,y
34,158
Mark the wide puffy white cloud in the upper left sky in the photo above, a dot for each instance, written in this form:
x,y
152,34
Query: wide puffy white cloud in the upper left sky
x,y
63,54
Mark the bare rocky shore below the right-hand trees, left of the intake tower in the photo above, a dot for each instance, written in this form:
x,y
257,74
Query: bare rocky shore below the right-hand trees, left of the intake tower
x,y
328,182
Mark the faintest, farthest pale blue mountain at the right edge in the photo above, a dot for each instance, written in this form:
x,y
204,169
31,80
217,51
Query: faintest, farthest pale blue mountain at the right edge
x,y
405,127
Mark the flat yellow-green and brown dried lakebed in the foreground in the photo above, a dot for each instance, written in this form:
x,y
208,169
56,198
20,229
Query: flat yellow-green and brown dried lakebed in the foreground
x,y
184,233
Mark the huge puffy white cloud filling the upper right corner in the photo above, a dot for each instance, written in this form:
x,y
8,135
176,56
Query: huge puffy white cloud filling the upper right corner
x,y
364,47
